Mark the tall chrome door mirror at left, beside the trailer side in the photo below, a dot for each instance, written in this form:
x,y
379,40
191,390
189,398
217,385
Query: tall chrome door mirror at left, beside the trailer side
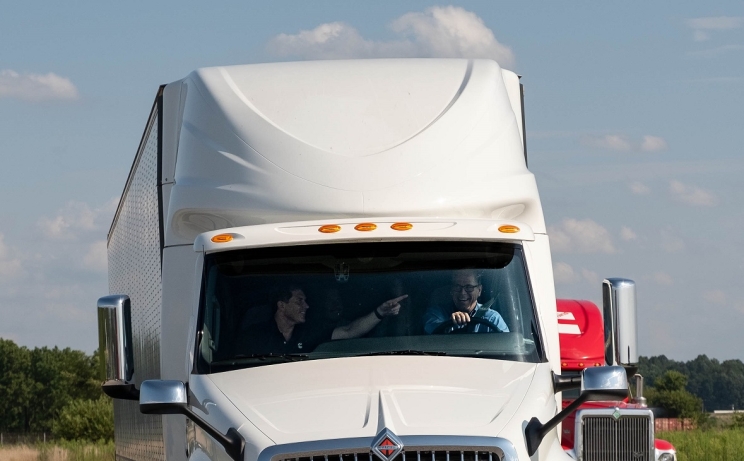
x,y
115,347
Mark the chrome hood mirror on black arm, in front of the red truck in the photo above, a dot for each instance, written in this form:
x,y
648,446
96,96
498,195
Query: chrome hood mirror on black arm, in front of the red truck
x,y
598,383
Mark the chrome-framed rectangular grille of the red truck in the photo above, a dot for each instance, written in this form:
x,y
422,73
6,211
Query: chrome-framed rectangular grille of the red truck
x,y
629,437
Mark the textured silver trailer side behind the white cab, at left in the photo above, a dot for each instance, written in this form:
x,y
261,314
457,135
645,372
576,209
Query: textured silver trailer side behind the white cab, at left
x,y
134,256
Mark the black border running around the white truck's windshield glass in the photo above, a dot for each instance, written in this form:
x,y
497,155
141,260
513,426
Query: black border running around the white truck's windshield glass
x,y
199,367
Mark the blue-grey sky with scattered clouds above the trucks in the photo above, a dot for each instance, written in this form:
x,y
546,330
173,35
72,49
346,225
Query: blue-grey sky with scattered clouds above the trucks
x,y
634,119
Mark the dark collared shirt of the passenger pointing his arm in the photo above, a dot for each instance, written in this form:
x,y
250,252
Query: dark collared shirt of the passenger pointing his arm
x,y
265,338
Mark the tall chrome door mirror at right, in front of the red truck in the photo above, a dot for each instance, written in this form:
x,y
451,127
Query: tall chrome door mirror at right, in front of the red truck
x,y
621,331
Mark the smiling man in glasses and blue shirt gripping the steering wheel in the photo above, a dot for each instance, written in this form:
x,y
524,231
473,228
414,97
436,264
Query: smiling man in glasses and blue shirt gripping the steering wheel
x,y
464,292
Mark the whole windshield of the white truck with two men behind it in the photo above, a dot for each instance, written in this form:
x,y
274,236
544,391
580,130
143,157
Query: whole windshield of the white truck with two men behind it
x,y
276,305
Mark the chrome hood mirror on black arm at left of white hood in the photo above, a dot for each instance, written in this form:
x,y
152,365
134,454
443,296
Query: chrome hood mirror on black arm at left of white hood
x,y
169,397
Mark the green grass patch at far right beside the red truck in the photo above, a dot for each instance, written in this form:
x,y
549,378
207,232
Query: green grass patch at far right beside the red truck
x,y
707,445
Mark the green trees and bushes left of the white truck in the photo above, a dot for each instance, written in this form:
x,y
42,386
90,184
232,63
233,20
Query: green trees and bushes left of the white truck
x,y
56,391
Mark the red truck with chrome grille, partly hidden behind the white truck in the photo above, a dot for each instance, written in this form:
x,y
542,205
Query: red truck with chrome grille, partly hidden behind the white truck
x,y
627,426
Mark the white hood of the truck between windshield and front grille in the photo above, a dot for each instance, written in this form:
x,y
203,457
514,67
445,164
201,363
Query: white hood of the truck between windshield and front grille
x,y
357,397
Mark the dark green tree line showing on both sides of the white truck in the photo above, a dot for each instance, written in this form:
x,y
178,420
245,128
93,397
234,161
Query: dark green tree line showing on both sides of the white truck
x,y
58,391
